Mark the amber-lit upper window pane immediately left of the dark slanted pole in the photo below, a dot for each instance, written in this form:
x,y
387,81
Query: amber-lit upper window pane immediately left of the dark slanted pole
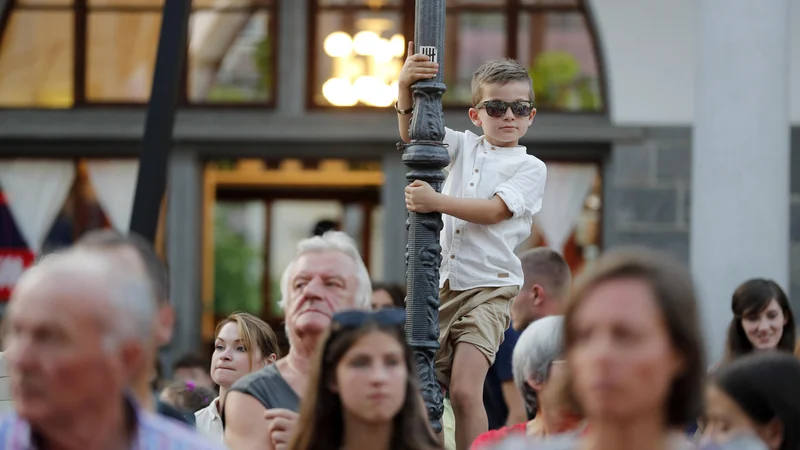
x,y
121,55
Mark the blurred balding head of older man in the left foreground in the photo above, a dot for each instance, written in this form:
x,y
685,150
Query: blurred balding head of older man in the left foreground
x,y
73,325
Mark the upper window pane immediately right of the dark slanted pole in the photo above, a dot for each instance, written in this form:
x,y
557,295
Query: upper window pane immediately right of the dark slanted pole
x,y
230,57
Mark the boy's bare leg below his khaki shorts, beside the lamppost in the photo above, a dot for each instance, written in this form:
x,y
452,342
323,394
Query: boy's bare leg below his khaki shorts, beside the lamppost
x,y
470,367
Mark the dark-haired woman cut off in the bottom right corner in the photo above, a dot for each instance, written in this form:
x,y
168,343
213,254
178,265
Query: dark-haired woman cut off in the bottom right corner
x,y
759,395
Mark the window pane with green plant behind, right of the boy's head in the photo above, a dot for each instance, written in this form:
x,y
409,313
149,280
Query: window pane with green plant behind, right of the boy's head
x,y
557,48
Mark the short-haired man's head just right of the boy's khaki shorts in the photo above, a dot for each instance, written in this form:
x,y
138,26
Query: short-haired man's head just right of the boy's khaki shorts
x,y
544,289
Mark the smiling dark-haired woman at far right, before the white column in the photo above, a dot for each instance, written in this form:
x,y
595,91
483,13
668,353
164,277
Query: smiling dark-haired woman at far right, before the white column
x,y
762,319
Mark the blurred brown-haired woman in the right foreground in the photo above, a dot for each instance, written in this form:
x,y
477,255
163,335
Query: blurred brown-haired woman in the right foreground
x,y
634,354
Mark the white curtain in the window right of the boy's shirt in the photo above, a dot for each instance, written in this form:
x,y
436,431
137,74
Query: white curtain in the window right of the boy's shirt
x,y
564,195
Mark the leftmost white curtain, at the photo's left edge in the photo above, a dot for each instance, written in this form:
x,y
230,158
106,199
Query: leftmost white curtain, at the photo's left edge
x,y
35,191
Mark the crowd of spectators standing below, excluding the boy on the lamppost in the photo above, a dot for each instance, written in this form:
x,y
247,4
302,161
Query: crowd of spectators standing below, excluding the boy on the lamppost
x,y
613,360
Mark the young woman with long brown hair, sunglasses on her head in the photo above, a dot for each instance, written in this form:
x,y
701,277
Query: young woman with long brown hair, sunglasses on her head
x,y
362,392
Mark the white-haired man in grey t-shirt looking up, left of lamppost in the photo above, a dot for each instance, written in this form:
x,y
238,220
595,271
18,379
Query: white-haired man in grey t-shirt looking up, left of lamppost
x,y
326,275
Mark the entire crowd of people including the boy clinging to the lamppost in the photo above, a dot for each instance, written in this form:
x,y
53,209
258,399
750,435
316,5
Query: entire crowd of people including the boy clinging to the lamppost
x,y
527,357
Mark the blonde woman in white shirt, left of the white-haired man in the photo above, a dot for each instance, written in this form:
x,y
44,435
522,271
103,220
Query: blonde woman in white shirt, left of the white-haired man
x,y
243,344
